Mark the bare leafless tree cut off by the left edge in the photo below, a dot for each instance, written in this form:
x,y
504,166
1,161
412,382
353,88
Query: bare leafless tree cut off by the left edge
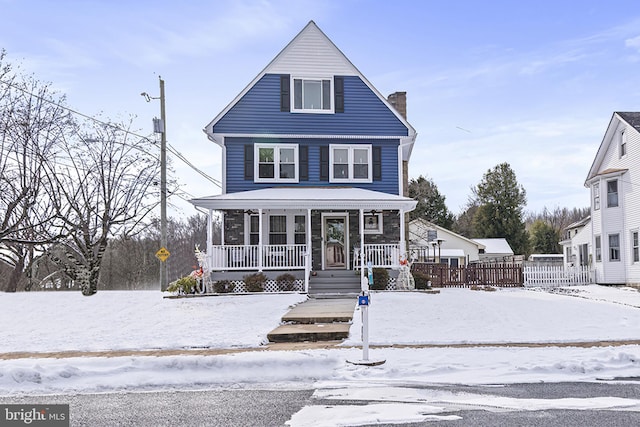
x,y
32,120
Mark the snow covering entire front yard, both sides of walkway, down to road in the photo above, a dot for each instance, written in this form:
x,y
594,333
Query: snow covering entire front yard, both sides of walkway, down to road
x,y
44,322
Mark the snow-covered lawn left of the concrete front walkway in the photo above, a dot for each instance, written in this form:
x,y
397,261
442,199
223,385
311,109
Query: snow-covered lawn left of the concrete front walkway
x,y
122,320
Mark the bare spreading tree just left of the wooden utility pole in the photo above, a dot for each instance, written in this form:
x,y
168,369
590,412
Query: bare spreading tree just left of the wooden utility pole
x,y
103,179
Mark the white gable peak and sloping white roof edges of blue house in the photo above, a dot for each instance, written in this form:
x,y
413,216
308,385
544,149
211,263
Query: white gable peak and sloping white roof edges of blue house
x,y
311,53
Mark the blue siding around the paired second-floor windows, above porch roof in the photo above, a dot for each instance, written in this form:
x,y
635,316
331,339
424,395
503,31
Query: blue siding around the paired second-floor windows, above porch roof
x,y
235,179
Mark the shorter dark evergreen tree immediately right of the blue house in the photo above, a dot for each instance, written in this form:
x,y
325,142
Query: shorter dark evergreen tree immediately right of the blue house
x,y
431,204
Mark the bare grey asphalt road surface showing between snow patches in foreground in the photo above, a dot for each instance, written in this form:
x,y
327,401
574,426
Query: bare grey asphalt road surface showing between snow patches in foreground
x,y
244,407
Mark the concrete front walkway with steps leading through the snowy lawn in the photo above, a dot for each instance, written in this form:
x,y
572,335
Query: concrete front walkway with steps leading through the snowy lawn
x,y
316,319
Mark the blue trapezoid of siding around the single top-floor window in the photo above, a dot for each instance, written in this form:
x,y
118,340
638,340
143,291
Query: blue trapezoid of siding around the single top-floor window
x,y
258,112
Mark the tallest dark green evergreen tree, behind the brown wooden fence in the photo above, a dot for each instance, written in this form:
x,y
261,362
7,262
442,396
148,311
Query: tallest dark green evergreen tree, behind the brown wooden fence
x,y
501,203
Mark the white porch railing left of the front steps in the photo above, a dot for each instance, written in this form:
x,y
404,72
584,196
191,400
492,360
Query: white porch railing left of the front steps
x,y
247,257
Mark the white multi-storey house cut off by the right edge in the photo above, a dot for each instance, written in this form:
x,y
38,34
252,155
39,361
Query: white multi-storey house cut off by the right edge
x,y
614,183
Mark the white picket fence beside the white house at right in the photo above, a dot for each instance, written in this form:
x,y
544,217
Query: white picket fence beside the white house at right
x,y
552,276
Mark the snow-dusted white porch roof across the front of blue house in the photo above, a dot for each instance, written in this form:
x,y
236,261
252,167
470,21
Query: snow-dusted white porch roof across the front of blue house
x,y
307,198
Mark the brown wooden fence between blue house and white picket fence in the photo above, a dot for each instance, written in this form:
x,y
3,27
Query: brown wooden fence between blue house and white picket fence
x,y
441,275
